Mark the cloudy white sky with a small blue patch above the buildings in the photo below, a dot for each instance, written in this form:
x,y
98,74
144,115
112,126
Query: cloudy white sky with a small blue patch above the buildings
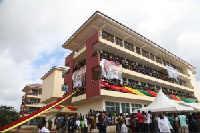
x,y
32,33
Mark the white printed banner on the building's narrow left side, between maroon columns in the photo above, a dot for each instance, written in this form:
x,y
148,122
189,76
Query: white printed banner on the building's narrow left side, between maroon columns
x,y
78,77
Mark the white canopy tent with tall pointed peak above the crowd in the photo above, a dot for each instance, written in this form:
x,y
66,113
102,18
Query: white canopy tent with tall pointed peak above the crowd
x,y
163,104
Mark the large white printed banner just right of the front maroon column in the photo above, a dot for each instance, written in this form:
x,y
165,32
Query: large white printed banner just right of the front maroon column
x,y
111,70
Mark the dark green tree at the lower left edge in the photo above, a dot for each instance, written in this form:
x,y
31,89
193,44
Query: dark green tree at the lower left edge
x,y
7,115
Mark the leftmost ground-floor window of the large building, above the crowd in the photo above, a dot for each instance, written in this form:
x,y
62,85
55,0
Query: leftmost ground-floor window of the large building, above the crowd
x,y
112,107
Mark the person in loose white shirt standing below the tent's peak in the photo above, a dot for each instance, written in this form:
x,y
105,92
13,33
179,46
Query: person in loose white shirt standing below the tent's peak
x,y
163,124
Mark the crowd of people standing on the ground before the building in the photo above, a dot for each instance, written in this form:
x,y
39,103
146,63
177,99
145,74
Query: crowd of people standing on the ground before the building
x,y
125,122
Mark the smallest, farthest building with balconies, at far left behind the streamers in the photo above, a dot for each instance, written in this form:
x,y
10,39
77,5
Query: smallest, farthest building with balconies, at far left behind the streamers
x,y
31,102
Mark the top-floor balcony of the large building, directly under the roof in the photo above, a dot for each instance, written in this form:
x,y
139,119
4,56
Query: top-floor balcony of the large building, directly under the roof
x,y
137,52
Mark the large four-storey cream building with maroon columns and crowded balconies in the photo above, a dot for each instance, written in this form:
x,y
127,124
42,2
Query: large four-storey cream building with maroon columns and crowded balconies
x,y
142,64
